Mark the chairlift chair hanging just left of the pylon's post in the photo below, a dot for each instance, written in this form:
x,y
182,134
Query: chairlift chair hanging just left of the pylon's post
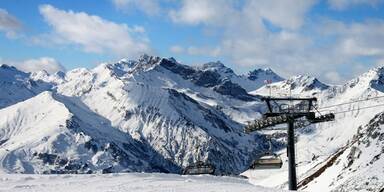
x,y
267,161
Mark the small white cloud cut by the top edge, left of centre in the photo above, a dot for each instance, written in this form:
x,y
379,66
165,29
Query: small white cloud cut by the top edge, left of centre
x,y
150,7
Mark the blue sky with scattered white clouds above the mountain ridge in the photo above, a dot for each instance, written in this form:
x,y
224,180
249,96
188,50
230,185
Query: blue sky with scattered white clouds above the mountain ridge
x,y
334,40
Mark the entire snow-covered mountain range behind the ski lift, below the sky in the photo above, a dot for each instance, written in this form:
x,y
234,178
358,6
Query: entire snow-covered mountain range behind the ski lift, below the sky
x,y
156,115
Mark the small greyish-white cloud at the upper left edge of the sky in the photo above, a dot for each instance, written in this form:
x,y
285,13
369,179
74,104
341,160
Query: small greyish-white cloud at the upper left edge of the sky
x,y
9,24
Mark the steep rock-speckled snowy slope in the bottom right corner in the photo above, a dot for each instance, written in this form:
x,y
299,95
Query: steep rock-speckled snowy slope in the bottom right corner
x,y
359,167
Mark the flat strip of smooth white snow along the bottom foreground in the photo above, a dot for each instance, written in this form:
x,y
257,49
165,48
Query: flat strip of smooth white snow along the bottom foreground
x,y
142,182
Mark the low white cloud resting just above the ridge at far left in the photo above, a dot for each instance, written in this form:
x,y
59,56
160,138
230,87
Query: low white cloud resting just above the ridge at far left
x,y
48,64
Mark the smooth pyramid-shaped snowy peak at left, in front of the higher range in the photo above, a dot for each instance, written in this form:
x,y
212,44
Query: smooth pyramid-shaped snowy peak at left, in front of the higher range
x,y
42,135
